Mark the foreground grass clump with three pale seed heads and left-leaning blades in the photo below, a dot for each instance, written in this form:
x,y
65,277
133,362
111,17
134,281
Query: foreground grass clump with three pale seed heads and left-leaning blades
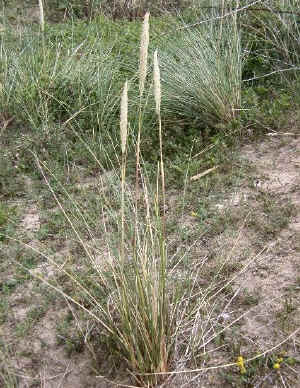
x,y
140,302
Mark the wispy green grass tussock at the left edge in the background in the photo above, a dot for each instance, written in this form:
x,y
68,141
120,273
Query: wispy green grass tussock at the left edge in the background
x,y
46,86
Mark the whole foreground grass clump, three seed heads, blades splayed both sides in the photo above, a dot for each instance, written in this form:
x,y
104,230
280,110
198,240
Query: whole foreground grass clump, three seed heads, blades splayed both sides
x,y
143,305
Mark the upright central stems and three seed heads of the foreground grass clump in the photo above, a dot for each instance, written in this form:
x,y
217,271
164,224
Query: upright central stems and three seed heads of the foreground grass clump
x,y
146,309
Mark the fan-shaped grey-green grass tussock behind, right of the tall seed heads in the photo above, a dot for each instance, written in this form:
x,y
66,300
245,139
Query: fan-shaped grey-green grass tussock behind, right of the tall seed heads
x,y
202,73
